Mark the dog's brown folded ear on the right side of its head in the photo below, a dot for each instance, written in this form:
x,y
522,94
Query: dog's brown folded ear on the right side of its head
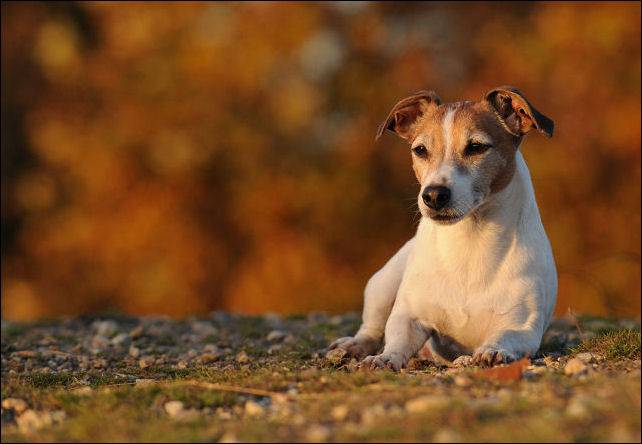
x,y
516,113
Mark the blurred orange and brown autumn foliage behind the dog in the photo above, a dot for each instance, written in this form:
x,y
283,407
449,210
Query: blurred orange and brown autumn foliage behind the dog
x,y
182,157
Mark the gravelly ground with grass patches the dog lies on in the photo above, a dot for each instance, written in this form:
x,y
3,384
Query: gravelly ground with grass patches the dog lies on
x,y
282,387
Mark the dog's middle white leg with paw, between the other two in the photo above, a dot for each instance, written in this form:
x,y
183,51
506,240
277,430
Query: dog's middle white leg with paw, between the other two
x,y
404,338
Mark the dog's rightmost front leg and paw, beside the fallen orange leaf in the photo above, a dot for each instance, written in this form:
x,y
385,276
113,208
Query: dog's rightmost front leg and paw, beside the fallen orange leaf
x,y
508,345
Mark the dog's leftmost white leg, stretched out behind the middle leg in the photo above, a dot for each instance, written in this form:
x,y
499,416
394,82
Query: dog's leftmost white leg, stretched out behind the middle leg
x,y
380,294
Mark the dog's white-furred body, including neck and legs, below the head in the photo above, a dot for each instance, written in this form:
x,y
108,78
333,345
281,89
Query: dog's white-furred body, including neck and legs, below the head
x,y
485,285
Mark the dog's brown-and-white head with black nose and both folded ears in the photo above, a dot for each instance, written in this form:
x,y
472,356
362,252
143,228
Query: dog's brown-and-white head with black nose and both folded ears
x,y
463,152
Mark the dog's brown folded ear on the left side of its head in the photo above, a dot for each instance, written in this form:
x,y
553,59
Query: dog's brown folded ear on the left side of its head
x,y
404,115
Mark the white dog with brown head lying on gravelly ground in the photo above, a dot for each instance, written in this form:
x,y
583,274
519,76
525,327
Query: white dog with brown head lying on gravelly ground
x,y
478,278
